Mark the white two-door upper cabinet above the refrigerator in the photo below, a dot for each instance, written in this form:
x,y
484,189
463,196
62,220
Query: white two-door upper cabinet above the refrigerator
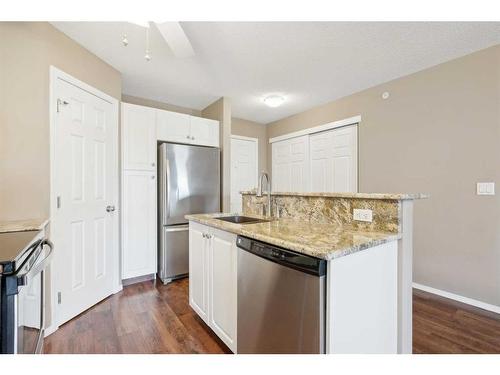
x,y
181,128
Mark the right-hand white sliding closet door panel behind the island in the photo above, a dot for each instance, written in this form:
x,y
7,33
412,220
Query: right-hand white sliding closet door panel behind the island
x,y
333,160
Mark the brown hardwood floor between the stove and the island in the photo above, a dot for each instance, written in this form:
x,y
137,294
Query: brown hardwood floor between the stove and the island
x,y
147,317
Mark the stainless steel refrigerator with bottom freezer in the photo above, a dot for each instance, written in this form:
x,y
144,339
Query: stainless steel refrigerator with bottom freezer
x,y
189,183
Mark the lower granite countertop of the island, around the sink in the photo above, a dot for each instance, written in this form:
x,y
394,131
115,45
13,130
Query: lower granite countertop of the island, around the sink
x,y
325,241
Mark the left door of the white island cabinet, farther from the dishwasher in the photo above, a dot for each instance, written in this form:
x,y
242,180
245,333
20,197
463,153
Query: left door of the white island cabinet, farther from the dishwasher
x,y
198,269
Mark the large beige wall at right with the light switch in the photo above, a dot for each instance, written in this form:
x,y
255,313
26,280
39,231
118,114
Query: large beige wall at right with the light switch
x,y
438,133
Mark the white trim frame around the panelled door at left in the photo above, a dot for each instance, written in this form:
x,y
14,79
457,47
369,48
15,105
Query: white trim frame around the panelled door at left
x,y
54,75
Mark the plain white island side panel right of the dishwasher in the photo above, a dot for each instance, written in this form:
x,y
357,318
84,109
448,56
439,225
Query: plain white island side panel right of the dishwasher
x,y
362,301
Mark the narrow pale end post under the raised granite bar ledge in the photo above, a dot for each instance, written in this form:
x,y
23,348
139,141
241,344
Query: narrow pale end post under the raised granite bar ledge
x,y
405,279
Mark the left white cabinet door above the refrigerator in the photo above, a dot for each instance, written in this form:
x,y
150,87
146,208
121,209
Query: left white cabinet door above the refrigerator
x,y
172,127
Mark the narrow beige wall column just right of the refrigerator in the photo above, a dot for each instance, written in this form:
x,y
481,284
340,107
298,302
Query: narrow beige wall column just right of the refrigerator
x,y
221,111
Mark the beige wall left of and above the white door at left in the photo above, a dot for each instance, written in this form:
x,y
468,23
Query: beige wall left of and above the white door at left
x,y
27,49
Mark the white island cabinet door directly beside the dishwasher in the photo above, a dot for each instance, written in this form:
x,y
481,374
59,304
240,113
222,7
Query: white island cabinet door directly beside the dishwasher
x,y
223,286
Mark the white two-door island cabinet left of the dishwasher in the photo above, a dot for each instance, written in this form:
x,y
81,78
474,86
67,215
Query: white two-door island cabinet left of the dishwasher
x,y
213,279
